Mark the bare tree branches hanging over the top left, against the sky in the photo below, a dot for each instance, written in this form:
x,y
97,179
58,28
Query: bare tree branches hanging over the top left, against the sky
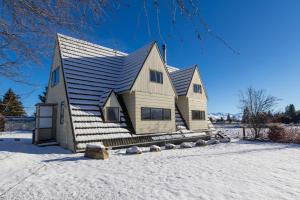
x,y
27,27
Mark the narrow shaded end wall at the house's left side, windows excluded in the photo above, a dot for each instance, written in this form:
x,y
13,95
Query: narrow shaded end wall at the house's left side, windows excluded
x,y
57,94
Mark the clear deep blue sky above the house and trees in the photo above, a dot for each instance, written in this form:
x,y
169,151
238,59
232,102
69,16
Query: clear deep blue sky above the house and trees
x,y
266,33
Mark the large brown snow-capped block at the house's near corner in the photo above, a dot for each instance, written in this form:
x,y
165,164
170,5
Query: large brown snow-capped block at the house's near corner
x,y
96,151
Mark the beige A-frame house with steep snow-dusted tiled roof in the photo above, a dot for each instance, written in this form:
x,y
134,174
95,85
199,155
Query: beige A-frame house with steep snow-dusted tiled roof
x,y
101,95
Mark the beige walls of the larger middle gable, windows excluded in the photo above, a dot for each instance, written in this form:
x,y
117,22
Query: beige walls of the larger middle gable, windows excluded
x,y
149,94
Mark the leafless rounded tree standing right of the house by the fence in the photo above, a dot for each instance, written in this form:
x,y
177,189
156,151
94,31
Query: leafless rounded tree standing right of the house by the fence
x,y
258,104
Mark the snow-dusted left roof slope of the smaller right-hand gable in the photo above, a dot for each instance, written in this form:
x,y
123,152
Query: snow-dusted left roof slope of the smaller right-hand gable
x,y
182,78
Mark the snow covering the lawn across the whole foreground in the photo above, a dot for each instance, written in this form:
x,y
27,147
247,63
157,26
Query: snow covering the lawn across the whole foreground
x,y
237,170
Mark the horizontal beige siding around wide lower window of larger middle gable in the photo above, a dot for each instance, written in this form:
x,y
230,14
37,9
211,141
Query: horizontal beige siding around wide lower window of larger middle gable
x,y
156,101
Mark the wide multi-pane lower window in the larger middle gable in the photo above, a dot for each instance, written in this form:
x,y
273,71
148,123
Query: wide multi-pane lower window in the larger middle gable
x,y
155,114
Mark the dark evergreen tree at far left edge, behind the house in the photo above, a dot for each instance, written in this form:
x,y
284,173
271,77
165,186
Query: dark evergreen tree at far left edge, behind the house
x,y
12,106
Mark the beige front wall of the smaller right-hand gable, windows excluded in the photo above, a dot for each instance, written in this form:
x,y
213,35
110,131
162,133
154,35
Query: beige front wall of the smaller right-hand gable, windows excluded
x,y
197,101
